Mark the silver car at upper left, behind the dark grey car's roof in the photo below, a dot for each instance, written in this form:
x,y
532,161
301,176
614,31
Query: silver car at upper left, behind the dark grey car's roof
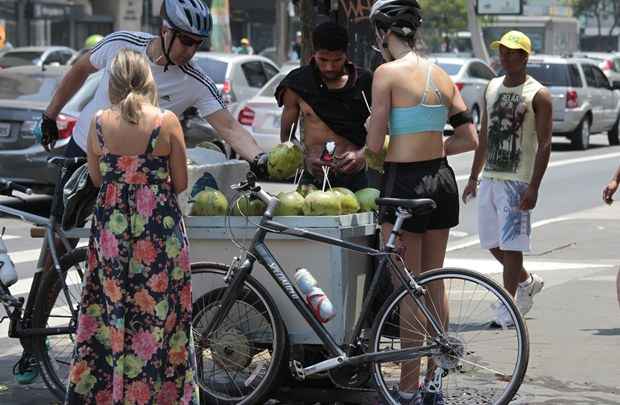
x,y
36,55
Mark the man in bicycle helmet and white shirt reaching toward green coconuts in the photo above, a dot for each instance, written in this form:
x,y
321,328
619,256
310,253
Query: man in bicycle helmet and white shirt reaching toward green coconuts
x,y
180,83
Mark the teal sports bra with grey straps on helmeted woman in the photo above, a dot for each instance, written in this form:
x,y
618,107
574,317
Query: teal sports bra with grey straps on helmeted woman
x,y
421,117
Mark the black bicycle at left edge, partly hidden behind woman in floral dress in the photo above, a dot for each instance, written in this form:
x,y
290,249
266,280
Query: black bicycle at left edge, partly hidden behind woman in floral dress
x,y
46,321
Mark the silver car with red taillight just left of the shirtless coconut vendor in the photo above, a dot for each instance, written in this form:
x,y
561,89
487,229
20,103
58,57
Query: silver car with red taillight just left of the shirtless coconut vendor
x,y
261,114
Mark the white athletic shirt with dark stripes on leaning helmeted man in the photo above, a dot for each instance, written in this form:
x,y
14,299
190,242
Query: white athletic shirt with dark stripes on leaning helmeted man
x,y
179,88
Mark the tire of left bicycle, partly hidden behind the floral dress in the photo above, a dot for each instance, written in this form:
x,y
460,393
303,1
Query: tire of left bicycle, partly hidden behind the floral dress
x,y
55,368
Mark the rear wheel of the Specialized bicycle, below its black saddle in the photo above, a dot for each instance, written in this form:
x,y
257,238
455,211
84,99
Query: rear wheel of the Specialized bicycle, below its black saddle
x,y
475,363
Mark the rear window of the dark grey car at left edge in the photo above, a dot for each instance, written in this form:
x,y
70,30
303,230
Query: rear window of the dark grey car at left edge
x,y
28,87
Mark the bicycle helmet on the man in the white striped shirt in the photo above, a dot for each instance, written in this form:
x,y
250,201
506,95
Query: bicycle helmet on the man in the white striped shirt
x,y
188,16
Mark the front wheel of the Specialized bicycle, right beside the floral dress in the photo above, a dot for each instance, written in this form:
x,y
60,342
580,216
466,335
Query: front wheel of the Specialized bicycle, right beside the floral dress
x,y
255,299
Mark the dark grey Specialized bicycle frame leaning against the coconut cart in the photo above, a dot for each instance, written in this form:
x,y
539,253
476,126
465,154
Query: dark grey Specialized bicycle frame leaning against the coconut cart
x,y
259,251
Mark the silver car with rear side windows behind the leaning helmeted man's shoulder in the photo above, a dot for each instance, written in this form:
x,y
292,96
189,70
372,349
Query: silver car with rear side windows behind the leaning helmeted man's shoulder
x,y
238,77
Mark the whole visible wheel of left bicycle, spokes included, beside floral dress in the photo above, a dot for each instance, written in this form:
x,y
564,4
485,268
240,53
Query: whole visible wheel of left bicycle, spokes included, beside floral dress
x,y
52,309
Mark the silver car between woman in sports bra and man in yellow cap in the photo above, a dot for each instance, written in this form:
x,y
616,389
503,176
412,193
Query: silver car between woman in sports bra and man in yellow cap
x,y
471,76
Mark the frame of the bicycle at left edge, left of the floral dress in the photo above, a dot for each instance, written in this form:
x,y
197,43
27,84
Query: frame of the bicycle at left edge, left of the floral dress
x,y
18,328
